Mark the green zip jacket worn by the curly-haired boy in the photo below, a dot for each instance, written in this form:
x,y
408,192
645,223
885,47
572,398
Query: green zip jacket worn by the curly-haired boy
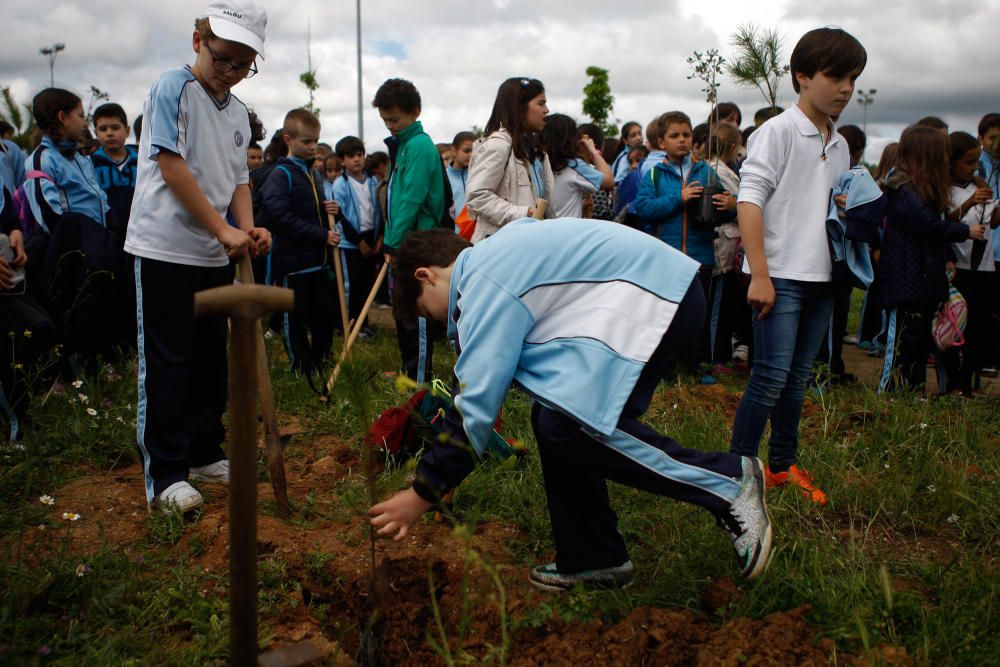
x,y
416,186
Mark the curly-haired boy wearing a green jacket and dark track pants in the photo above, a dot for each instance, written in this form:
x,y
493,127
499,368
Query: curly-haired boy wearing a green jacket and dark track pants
x,y
415,201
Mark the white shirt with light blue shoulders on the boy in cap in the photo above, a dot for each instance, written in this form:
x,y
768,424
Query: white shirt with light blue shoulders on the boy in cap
x,y
181,117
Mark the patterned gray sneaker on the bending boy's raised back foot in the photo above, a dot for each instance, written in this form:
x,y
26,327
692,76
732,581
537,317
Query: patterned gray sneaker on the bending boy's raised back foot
x,y
747,522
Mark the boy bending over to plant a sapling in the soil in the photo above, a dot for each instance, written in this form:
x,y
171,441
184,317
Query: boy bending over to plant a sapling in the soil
x,y
512,305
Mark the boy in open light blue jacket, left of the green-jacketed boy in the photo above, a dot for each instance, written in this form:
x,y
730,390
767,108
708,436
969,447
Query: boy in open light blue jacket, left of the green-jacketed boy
x,y
360,223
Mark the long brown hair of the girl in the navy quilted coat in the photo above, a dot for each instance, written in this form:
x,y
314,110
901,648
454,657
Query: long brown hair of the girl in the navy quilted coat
x,y
923,157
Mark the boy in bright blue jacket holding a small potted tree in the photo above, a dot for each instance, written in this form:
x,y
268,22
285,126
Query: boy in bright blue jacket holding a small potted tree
x,y
661,205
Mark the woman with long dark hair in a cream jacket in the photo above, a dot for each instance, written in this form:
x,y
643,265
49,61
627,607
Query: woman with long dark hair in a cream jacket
x,y
508,171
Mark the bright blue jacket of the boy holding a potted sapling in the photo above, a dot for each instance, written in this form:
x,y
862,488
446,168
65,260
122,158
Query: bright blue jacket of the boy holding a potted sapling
x,y
662,213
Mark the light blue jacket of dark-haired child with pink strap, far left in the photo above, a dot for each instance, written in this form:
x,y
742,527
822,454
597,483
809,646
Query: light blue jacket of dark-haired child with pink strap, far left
x,y
75,187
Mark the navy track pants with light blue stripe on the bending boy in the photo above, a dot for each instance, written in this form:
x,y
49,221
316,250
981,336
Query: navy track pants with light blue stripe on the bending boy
x,y
576,466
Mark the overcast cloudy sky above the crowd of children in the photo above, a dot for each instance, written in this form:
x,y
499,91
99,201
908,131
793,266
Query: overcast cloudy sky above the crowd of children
x,y
923,58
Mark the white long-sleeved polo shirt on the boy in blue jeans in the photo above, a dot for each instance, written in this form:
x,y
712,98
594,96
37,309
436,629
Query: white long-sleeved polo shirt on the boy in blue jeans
x,y
789,173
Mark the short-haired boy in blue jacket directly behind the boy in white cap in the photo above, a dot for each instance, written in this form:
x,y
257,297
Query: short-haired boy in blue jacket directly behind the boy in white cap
x,y
115,163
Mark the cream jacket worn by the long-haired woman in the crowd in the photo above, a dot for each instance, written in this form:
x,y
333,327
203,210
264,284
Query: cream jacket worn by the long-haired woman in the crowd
x,y
499,188
